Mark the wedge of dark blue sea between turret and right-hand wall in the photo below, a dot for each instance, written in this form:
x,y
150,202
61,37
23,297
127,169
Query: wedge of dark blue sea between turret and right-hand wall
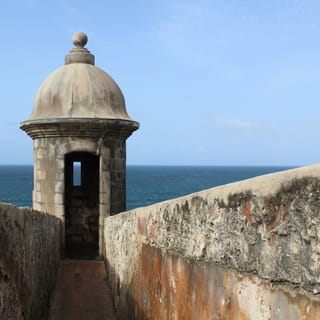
x,y
151,184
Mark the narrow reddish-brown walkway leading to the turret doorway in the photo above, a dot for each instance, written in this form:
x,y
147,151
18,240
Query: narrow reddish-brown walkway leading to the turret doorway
x,y
81,292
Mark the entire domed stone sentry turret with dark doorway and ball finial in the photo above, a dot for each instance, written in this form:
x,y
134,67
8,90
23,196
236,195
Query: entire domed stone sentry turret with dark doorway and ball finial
x,y
79,126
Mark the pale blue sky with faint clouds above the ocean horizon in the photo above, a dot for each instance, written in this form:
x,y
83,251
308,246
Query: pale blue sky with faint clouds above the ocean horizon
x,y
211,82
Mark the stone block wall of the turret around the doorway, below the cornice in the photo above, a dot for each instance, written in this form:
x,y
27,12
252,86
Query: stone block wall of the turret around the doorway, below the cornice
x,y
49,172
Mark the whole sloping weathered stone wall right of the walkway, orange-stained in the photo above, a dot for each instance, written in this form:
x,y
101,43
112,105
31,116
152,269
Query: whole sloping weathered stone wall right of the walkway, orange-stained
x,y
248,250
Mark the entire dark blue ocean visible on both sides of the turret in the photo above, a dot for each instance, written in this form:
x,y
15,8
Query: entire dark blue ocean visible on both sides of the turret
x,y
145,184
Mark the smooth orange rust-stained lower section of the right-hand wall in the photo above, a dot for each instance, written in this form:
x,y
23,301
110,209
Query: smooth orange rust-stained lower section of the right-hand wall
x,y
168,286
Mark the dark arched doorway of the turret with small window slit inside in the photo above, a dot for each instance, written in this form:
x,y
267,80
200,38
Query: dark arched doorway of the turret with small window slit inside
x,y
81,205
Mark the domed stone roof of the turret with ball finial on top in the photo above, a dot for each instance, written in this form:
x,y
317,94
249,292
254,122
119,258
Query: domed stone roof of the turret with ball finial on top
x,y
79,90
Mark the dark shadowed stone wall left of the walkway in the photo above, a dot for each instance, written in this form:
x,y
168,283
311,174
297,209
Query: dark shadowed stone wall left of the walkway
x,y
29,258
